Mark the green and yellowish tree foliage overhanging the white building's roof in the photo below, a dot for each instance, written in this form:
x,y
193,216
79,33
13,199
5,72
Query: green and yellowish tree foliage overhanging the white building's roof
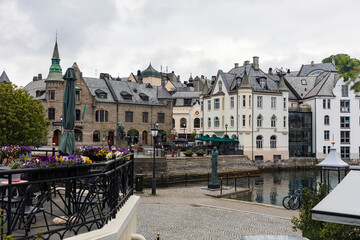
x,y
348,68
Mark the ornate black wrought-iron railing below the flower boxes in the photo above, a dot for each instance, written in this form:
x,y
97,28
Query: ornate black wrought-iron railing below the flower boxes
x,y
60,202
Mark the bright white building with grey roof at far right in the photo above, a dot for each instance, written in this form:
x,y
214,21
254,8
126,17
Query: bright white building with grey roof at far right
x,y
334,107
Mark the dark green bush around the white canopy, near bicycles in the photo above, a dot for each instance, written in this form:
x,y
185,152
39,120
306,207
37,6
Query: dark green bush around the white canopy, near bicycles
x,y
320,230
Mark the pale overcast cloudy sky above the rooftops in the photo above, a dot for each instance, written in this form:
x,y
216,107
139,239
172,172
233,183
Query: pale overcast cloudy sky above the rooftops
x,y
187,36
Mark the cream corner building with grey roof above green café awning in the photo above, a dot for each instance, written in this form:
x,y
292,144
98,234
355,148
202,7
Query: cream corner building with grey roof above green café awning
x,y
249,105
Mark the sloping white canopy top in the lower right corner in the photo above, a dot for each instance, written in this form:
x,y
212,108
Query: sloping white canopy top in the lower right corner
x,y
342,205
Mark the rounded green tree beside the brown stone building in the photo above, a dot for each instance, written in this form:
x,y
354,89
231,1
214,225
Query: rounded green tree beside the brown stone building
x,y
22,119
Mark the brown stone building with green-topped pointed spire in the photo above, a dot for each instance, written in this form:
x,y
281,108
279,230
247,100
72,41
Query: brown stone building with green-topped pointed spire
x,y
101,104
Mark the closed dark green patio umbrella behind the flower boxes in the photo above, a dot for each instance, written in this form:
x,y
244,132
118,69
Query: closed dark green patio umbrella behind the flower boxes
x,y
67,141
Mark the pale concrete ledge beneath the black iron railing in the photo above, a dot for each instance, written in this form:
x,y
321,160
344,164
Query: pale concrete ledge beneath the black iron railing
x,y
119,228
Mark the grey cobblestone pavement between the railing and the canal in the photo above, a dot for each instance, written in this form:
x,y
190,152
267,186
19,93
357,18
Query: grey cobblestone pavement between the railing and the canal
x,y
186,213
